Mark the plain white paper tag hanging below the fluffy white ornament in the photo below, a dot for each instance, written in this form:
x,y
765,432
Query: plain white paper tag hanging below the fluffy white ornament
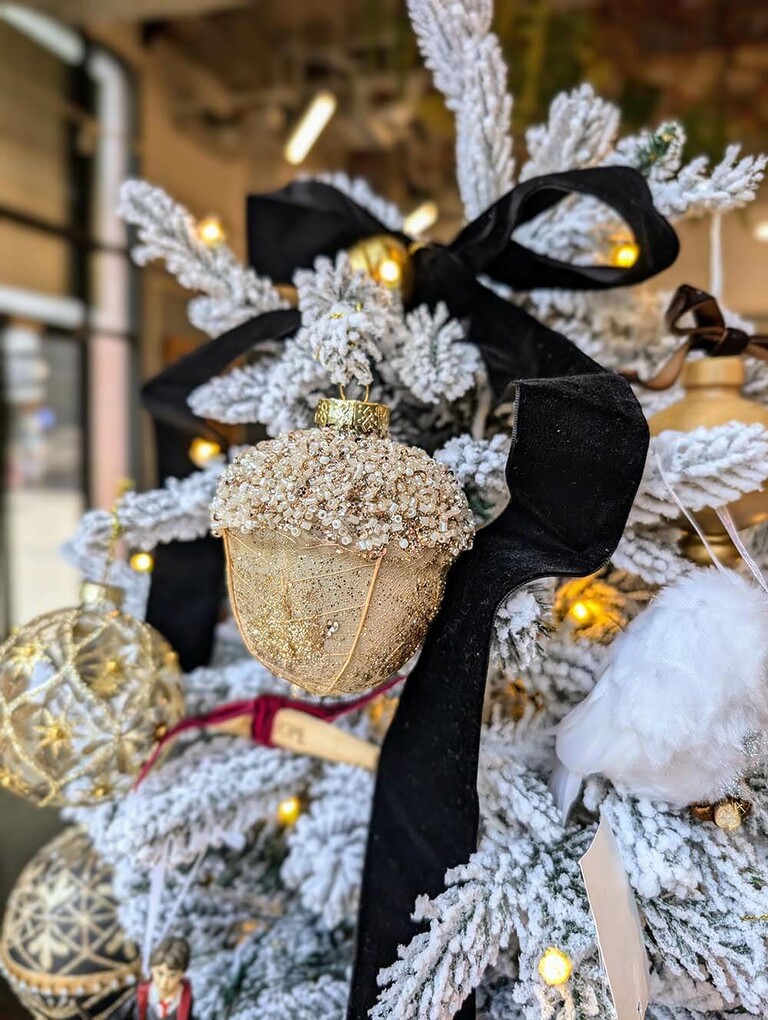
x,y
623,947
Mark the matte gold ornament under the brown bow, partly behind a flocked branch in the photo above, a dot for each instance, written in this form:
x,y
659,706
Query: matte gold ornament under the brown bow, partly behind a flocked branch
x,y
713,397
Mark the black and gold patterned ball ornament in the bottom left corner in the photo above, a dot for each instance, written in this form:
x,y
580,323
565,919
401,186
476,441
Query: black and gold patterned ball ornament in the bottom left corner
x,y
63,949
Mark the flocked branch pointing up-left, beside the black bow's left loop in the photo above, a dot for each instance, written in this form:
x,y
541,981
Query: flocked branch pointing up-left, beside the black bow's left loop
x,y
169,232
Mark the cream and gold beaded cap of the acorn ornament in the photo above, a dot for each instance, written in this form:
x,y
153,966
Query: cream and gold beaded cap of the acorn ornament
x,y
359,492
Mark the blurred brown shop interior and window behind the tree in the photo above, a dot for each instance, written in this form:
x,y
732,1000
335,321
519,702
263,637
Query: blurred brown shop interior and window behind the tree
x,y
200,97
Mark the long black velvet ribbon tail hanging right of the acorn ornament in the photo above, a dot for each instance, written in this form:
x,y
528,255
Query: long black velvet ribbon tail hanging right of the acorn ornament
x,y
578,457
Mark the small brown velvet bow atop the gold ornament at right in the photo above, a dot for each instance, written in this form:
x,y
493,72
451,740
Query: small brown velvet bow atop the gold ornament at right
x,y
709,334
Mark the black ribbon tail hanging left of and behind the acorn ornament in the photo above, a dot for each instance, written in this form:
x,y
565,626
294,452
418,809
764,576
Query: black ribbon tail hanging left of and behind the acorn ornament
x,y
192,574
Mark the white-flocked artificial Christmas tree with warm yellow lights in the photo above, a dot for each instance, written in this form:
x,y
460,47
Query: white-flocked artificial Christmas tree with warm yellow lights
x,y
257,855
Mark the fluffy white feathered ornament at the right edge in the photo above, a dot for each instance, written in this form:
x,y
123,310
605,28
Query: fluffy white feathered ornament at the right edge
x,y
680,711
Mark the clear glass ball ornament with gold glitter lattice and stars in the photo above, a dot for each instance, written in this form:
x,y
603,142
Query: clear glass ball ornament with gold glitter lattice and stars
x,y
85,694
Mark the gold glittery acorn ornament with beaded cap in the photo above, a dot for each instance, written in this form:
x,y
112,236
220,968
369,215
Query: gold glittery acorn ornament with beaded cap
x,y
338,544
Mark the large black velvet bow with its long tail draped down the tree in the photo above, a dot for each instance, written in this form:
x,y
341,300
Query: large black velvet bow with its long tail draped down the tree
x,y
578,454
